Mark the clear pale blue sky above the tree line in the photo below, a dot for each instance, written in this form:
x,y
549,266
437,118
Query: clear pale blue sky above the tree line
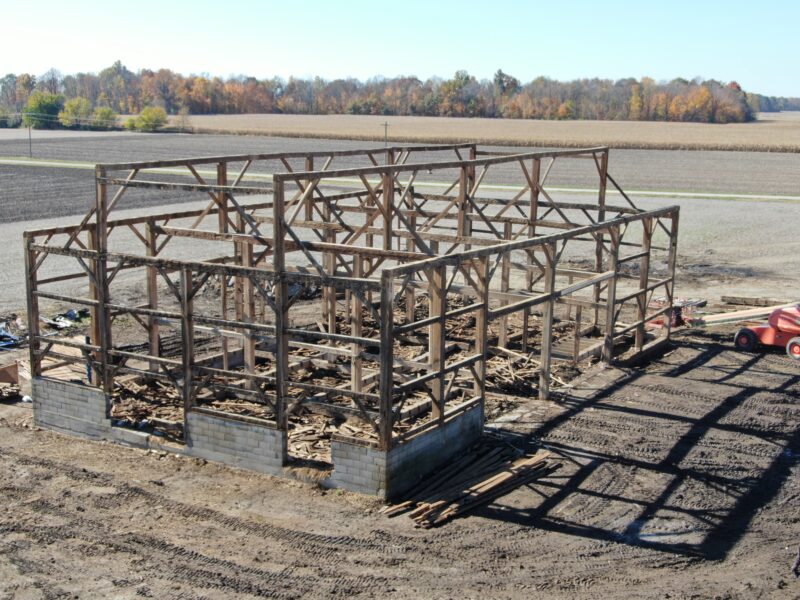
x,y
757,45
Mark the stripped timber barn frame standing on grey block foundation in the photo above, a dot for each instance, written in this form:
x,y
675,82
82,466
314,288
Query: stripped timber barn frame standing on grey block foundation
x,y
374,285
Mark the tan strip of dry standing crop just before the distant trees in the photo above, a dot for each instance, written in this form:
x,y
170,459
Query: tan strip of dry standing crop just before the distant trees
x,y
778,132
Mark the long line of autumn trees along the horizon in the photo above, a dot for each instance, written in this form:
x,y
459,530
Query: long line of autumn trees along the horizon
x,y
74,100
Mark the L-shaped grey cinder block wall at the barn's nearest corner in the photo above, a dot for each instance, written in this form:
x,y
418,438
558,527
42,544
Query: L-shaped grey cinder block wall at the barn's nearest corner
x,y
387,474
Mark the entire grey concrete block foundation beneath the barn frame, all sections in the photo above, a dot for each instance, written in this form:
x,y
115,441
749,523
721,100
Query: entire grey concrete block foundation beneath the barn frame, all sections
x,y
258,445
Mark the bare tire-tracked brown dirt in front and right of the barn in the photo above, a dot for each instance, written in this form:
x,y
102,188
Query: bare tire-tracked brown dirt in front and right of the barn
x,y
680,480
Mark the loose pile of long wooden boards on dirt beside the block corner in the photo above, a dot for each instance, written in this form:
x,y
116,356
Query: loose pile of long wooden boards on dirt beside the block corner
x,y
470,482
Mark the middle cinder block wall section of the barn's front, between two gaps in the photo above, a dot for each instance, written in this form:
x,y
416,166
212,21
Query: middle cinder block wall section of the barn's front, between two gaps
x,y
240,441
